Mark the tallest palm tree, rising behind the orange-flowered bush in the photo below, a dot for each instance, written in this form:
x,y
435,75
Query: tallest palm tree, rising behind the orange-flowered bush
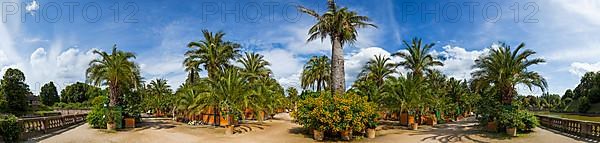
x,y
340,25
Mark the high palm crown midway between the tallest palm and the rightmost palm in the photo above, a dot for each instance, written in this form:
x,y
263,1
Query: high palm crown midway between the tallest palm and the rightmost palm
x,y
418,59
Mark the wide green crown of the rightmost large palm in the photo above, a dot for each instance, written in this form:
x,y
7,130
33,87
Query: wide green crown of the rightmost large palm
x,y
503,68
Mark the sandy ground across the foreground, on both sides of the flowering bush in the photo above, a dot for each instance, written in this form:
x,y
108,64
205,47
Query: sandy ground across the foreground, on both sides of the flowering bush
x,y
283,131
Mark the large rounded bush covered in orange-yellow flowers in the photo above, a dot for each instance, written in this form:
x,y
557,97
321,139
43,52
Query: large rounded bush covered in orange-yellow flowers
x,y
336,113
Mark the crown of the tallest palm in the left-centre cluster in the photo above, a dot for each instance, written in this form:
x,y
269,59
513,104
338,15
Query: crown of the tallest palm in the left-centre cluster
x,y
213,53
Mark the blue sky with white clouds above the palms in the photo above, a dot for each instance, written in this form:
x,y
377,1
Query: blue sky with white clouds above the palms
x,y
57,46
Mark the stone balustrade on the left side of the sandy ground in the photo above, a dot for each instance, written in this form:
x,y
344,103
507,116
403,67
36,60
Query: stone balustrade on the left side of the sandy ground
x,y
42,125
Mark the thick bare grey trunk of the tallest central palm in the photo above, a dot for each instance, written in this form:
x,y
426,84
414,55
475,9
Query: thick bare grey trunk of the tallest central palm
x,y
337,66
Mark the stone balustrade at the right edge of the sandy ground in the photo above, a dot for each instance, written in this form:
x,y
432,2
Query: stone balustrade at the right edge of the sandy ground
x,y
584,129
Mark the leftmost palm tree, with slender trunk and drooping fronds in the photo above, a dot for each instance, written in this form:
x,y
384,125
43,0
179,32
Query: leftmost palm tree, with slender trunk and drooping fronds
x,y
114,70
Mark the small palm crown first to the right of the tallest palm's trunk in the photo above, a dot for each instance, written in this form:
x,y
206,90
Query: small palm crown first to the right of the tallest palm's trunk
x,y
378,69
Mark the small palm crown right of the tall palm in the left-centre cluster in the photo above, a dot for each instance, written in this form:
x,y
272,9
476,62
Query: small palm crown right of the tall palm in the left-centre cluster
x,y
254,66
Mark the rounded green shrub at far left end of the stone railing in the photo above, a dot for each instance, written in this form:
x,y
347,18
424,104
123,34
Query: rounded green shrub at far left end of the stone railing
x,y
9,128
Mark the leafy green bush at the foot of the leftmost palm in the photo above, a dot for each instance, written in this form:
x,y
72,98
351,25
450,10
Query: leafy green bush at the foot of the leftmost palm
x,y
97,118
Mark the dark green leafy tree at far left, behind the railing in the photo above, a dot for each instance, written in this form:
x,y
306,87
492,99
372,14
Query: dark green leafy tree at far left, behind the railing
x,y
15,91
